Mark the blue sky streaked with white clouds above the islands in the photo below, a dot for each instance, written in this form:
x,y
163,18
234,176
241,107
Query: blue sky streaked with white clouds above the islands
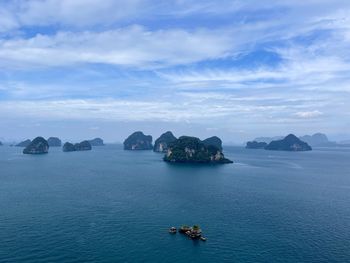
x,y
236,69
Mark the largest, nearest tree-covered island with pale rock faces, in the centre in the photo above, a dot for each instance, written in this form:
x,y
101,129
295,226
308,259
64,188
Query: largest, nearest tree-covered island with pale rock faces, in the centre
x,y
192,150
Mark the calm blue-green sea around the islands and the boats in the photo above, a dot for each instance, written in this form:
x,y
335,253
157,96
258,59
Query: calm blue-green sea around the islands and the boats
x,y
110,205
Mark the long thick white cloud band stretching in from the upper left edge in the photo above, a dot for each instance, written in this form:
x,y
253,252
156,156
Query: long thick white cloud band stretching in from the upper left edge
x,y
131,46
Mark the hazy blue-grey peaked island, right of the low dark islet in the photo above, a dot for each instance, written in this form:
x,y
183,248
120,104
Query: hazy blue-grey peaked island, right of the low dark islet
x,y
289,143
